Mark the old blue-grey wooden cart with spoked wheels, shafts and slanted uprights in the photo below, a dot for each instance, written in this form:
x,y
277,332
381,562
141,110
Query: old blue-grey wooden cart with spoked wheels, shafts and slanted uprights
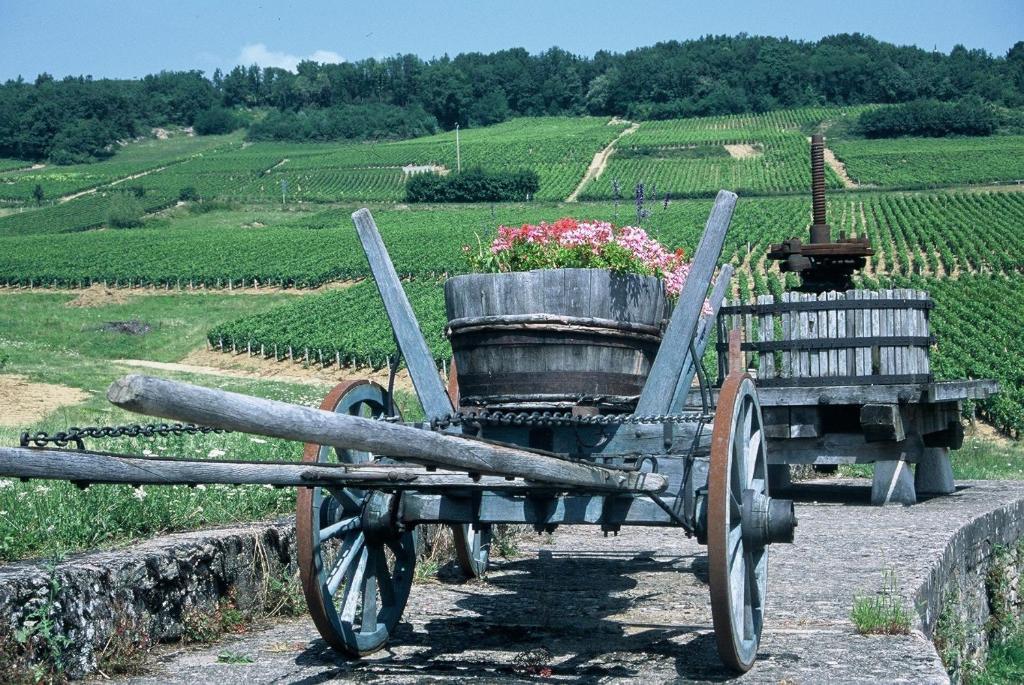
x,y
369,479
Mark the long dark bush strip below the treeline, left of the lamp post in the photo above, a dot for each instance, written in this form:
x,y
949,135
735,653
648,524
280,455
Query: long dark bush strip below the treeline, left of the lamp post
x,y
350,122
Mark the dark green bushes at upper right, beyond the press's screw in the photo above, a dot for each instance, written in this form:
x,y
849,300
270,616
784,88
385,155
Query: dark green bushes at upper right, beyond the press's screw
x,y
930,118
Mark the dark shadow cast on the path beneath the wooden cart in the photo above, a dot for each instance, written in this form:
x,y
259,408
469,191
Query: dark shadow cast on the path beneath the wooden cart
x,y
567,609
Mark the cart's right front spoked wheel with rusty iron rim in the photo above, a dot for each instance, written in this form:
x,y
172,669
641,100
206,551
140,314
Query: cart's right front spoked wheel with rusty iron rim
x,y
739,569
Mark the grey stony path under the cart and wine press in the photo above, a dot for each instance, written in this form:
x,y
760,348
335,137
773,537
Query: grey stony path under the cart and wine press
x,y
636,609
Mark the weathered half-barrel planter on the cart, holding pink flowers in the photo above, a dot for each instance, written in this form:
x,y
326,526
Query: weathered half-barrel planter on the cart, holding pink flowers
x,y
554,337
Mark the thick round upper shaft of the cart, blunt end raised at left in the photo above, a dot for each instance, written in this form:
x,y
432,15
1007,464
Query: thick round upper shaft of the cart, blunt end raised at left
x,y
230,411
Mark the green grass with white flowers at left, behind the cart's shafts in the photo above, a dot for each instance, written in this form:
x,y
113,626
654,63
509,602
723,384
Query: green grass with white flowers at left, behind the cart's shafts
x,y
45,341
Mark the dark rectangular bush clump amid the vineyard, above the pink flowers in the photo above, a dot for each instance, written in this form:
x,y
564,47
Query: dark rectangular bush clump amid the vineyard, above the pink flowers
x,y
474,186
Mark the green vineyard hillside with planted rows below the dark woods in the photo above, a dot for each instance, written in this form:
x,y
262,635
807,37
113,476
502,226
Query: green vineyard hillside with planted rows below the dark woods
x,y
222,213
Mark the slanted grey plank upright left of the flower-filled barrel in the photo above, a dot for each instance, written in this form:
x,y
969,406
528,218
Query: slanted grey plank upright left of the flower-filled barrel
x,y
419,361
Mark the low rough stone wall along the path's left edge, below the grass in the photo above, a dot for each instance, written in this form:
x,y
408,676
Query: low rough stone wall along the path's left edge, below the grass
x,y
144,594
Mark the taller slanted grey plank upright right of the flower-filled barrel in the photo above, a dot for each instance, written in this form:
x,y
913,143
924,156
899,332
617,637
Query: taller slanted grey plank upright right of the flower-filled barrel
x,y
667,372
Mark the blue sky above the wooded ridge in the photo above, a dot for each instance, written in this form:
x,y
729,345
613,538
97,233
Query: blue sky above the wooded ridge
x,y
113,38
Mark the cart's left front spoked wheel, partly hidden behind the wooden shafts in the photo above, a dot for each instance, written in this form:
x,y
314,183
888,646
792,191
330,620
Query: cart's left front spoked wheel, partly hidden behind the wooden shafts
x,y
355,560
